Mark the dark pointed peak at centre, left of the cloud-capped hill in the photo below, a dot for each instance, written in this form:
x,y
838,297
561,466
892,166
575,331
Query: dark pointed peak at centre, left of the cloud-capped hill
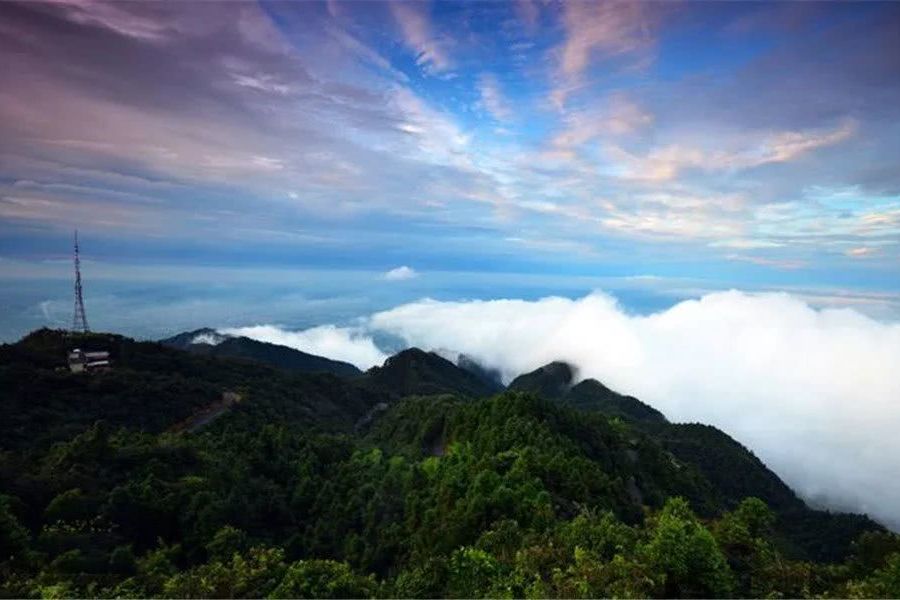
x,y
416,372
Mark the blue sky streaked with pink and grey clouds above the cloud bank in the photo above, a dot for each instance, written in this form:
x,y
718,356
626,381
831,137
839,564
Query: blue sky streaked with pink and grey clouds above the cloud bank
x,y
276,160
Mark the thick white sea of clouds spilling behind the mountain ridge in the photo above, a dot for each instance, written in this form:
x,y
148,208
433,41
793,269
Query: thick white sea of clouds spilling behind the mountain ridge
x,y
814,393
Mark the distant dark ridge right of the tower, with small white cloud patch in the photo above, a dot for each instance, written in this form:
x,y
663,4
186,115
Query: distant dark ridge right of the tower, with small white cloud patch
x,y
209,342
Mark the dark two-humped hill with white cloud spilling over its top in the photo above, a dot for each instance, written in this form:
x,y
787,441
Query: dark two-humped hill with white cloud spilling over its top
x,y
555,381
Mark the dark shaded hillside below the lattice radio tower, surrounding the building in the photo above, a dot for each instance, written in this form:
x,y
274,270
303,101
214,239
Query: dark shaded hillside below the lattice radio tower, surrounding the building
x,y
150,387
